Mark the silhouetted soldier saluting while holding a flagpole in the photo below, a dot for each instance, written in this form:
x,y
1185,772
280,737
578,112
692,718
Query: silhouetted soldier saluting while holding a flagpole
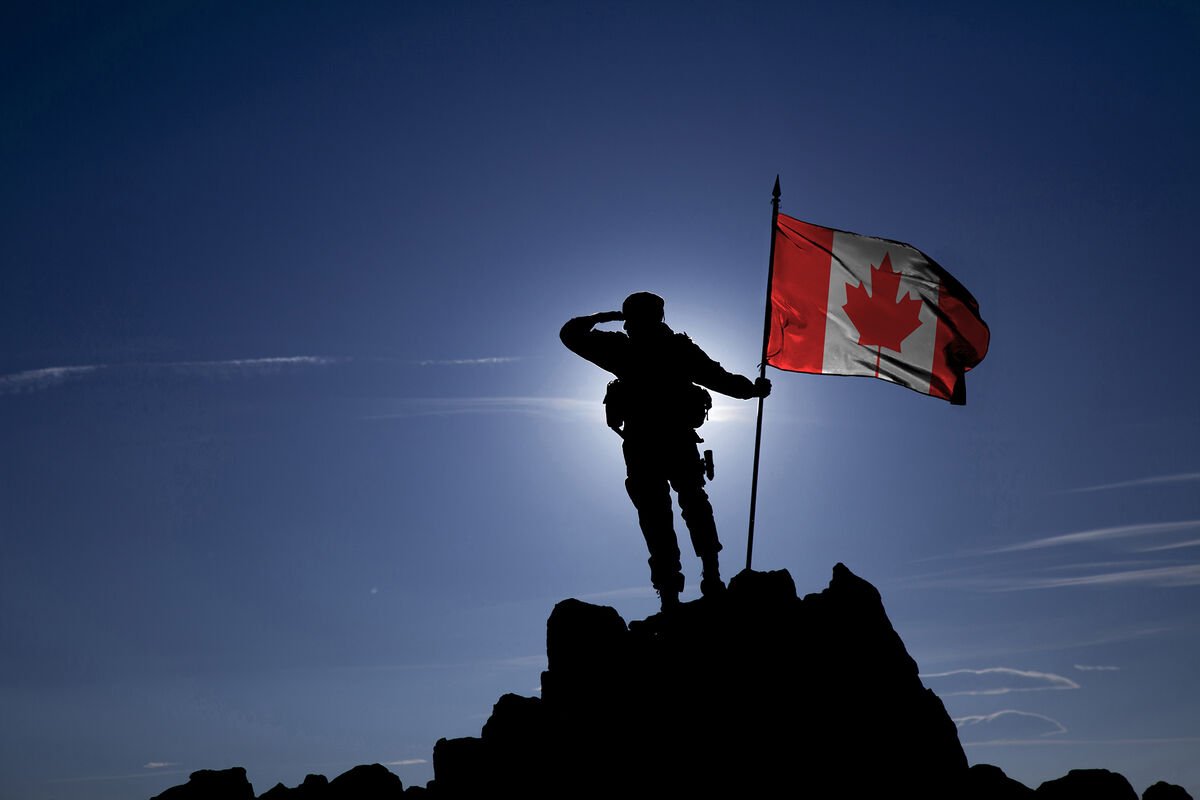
x,y
657,406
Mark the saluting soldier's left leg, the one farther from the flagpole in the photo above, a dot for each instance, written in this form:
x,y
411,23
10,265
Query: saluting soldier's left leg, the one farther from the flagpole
x,y
650,491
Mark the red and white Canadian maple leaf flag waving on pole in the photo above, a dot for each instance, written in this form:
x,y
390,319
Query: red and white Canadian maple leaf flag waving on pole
x,y
850,305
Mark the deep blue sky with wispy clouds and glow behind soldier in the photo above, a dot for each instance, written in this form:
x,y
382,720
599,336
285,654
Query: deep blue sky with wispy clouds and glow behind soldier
x,y
295,467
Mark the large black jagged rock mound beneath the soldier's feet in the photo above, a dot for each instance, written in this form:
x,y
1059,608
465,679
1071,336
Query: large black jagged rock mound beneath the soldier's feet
x,y
751,694
